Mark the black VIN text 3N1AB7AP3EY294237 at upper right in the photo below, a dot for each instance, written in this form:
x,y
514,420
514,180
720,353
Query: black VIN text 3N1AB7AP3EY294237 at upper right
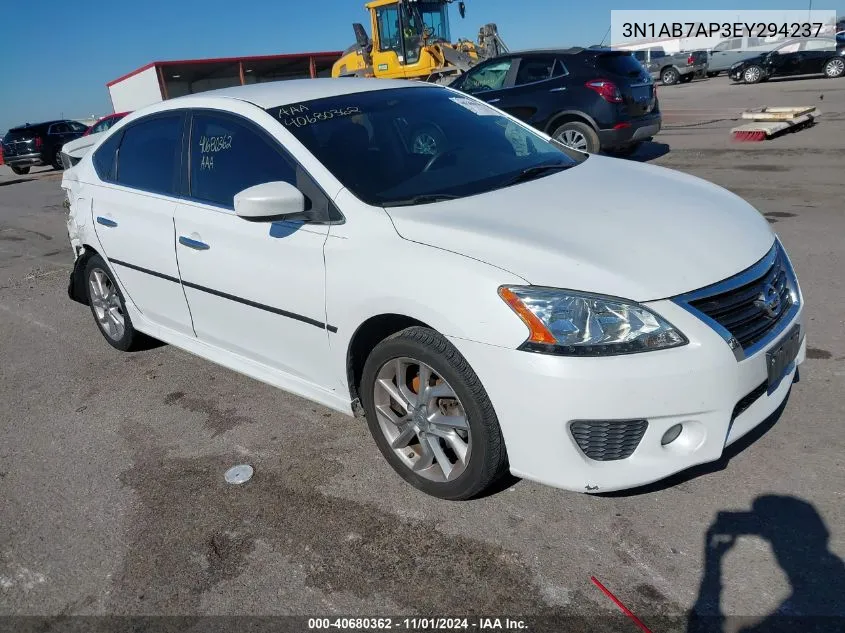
x,y
725,30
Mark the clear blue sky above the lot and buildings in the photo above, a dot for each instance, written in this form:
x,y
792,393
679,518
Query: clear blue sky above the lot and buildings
x,y
56,57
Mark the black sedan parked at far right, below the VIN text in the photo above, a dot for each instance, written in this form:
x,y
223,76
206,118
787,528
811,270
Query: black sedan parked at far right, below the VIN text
x,y
793,57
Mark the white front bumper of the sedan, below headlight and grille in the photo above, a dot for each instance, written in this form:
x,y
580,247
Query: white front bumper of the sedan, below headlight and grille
x,y
699,385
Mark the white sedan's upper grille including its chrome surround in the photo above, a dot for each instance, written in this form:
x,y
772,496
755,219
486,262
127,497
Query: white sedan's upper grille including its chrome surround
x,y
774,268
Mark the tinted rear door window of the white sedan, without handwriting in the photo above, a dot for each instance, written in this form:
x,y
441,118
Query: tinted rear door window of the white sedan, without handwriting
x,y
148,157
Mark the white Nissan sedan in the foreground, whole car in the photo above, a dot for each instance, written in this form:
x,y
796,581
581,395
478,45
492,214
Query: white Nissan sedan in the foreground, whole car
x,y
504,304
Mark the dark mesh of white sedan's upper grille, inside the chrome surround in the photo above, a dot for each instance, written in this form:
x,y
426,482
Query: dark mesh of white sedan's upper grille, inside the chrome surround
x,y
751,310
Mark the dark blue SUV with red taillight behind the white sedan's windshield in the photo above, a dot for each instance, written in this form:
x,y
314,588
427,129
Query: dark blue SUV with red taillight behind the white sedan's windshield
x,y
588,99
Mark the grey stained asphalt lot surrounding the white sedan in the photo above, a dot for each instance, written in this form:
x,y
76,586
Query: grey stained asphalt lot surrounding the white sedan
x,y
112,498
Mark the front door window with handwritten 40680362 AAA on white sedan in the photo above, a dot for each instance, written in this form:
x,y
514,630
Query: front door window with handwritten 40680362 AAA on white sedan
x,y
228,156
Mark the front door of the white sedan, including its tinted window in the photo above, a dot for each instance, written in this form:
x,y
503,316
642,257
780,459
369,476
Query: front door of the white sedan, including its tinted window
x,y
256,289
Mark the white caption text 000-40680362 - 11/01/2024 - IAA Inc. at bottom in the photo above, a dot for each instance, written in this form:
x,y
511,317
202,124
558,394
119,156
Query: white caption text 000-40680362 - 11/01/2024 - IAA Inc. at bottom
x,y
418,624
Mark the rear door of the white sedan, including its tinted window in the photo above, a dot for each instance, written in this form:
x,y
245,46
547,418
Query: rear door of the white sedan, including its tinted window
x,y
133,215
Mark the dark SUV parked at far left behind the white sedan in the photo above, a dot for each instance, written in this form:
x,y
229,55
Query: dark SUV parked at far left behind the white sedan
x,y
39,144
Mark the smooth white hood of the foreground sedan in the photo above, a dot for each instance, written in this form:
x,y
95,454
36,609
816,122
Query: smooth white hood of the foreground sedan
x,y
607,226
